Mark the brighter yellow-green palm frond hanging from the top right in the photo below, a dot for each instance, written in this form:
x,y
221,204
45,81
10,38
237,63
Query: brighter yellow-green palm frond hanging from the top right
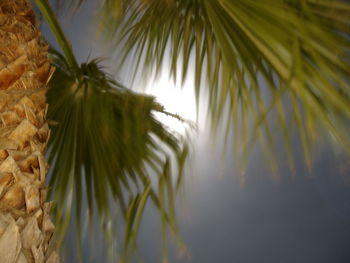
x,y
249,56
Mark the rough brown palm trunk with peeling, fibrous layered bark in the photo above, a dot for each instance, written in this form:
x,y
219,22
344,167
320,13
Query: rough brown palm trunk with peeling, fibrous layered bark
x,y
25,226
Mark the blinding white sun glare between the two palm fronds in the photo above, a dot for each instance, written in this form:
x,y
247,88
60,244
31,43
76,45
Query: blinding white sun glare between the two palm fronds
x,y
176,99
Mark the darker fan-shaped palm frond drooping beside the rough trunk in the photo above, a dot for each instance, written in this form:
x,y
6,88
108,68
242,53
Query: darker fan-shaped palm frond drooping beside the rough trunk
x,y
107,148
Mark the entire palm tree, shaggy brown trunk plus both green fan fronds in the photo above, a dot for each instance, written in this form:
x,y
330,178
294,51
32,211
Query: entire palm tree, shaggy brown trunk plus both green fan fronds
x,y
299,50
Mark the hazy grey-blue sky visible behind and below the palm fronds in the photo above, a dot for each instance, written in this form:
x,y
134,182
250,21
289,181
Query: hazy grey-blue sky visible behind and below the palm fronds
x,y
302,218
